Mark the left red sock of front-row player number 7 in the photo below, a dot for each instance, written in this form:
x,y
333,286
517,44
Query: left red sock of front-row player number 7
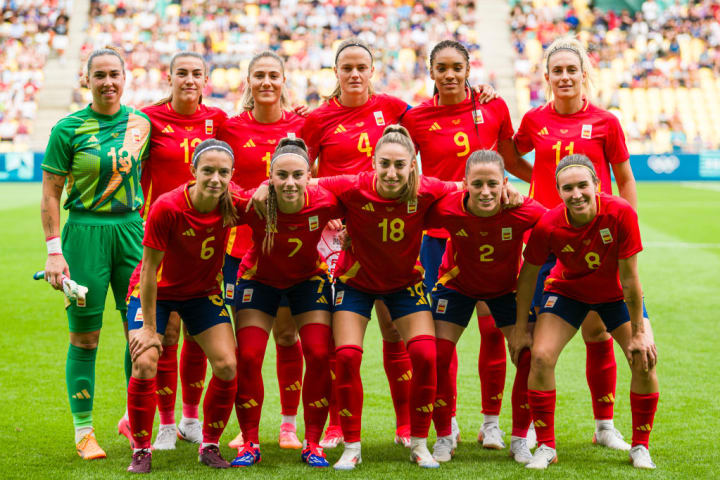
x,y
251,344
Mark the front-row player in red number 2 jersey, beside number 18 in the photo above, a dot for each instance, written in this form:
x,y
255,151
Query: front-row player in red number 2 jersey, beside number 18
x,y
480,263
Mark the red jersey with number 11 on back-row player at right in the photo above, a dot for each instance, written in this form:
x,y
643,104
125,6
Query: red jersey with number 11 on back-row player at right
x,y
592,131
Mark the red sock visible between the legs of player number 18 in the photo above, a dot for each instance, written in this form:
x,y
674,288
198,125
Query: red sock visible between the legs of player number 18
x,y
399,372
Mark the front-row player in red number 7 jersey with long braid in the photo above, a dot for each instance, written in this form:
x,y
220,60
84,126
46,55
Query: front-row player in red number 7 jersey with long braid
x,y
283,261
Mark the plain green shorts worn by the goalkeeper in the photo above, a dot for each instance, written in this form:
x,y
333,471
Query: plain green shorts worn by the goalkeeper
x,y
101,250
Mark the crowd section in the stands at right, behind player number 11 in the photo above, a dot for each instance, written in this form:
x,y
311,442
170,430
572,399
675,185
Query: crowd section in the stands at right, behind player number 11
x,y
658,69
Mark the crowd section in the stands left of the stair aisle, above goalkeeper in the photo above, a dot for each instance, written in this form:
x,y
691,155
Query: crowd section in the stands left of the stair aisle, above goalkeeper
x,y
30,32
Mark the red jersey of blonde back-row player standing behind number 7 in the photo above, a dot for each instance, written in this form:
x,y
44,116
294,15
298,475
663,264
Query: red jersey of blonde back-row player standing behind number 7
x,y
253,144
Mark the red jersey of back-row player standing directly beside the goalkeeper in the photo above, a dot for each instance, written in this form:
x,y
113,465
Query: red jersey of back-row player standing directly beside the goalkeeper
x,y
172,142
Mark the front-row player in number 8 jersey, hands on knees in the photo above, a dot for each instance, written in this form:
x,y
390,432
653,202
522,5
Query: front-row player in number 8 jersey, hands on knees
x,y
596,239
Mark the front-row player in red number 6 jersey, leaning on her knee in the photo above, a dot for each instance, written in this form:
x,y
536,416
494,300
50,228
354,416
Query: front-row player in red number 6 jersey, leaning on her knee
x,y
184,244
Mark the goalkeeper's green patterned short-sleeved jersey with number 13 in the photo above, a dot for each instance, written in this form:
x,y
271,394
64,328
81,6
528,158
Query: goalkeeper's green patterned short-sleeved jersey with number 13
x,y
101,156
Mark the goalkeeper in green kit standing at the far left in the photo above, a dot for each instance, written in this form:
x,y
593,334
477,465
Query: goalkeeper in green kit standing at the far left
x,y
99,151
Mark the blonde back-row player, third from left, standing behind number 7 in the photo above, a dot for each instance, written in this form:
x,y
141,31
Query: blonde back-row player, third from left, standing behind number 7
x,y
254,135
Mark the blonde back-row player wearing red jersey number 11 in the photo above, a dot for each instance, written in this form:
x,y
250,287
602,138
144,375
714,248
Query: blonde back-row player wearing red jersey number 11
x,y
569,124
